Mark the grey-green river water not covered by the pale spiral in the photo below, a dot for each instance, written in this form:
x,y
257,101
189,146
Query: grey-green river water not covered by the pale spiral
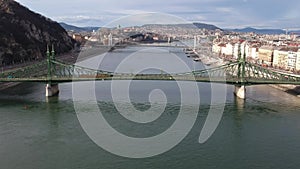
x,y
38,133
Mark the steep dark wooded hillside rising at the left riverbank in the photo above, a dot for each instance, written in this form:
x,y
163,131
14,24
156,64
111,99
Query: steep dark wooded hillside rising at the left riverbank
x,y
24,34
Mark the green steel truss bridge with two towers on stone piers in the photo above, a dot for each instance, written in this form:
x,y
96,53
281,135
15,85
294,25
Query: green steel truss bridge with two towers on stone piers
x,y
239,73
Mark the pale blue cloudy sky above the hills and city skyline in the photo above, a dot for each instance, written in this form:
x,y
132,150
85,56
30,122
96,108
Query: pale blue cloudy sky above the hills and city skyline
x,y
222,13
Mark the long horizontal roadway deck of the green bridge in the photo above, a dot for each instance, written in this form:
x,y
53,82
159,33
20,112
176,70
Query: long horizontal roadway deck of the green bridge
x,y
229,79
